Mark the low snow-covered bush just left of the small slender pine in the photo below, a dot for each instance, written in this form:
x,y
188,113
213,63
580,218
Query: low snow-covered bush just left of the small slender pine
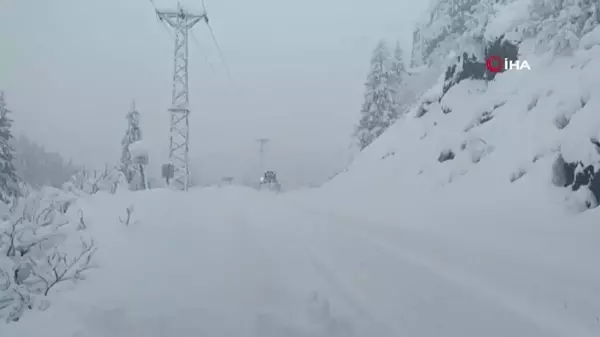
x,y
94,181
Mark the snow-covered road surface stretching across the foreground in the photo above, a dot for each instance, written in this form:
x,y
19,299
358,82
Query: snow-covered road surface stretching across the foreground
x,y
267,266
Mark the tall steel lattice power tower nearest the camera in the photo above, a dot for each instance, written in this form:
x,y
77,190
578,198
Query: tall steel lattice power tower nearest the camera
x,y
181,21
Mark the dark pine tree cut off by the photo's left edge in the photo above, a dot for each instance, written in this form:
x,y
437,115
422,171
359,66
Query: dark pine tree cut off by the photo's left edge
x,y
9,181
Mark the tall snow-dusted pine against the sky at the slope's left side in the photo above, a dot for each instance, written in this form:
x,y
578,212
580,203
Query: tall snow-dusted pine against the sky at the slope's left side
x,y
378,111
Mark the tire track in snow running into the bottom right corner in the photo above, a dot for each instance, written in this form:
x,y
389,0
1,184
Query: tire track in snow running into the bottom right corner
x,y
534,314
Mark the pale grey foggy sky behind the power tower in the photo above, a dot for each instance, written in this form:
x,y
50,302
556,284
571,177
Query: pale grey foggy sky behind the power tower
x,y
71,68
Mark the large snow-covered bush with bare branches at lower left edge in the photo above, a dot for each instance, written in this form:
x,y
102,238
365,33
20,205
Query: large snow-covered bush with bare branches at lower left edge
x,y
43,245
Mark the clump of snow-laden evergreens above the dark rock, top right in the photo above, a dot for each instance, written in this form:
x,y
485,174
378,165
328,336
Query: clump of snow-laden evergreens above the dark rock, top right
x,y
452,27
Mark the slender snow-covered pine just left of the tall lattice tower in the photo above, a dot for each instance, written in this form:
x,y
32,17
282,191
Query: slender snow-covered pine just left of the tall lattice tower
x,y
132,135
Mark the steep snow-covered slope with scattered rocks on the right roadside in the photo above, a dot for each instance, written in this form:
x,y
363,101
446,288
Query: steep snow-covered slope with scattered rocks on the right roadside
x,y
502,134
